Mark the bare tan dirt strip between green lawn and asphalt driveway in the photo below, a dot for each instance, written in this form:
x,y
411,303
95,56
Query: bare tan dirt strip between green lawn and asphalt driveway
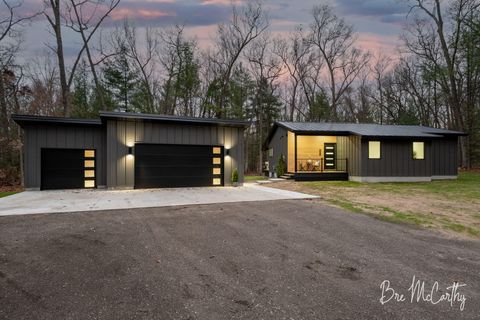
x,y
450,216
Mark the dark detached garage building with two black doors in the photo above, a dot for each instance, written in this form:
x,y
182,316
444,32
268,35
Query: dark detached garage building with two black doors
x,y
130,150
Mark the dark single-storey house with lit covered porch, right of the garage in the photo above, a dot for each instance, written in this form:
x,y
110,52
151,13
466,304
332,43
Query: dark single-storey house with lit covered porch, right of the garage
x,y
363,152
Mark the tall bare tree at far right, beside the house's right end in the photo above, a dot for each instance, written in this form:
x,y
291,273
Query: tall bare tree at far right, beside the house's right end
x,y
442,29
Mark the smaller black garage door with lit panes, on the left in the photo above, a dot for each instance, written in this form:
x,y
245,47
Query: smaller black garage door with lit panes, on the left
x,y
67,169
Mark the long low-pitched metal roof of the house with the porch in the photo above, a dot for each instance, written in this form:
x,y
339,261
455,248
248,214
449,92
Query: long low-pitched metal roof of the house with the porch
x,y
373,130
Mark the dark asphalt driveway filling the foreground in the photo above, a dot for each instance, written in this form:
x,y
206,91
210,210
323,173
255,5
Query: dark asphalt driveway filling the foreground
x,y
285,259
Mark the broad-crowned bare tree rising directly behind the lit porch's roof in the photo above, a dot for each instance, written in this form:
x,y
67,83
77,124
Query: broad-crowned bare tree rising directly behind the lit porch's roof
x,y
335,41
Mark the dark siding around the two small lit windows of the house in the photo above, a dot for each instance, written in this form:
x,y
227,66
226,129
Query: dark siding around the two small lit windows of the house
x,y
396,159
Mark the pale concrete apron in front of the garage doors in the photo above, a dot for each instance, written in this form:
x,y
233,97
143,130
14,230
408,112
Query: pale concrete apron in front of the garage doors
x,y
33,202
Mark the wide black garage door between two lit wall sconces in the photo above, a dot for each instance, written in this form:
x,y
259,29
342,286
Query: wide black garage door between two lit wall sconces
x,y
160,166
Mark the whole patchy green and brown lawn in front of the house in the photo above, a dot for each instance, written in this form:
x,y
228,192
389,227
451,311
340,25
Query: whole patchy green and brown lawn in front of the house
x,y
451,206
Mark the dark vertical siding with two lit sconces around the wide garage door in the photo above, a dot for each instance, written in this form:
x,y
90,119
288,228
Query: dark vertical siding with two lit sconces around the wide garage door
x,y
124,133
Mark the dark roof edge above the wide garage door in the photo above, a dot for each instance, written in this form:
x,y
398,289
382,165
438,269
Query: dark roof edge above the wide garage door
x,y
170,118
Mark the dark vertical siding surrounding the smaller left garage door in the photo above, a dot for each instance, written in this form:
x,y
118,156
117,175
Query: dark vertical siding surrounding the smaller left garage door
x,y
42,136
